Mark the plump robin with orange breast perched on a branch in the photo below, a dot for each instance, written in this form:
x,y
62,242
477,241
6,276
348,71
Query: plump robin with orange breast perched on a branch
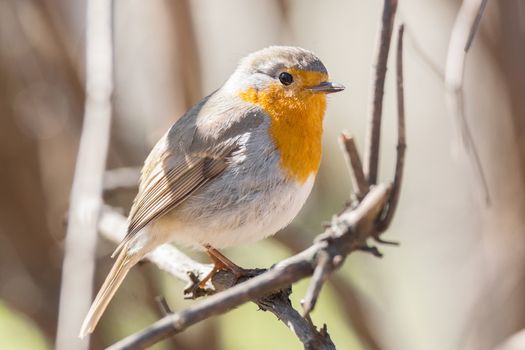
x,y
235,168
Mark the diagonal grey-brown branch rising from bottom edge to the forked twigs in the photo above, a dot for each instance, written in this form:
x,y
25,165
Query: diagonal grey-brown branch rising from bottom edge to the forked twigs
x,y
348,232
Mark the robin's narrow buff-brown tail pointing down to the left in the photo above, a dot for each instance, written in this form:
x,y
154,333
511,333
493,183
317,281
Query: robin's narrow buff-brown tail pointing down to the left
x,y
114,279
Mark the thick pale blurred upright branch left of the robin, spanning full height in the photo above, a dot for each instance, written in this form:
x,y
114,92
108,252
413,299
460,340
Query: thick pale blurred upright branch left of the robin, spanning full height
x,y
86,194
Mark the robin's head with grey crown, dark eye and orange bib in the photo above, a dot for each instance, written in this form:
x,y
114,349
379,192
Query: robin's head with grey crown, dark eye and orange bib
x,y
290,84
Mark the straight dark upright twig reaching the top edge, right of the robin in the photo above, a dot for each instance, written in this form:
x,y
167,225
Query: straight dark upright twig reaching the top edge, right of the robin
x,y
379,71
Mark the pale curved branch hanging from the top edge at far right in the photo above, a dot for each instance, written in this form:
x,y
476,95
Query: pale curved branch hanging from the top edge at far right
x,y
462,35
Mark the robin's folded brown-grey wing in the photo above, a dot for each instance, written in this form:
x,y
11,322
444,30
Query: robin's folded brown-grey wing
x,y
193,152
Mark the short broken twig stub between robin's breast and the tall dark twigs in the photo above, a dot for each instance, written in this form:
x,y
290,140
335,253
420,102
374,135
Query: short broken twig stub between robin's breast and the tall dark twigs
x,y
357,176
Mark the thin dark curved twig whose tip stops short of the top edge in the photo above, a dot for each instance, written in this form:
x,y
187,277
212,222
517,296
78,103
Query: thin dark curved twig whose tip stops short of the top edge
x,y
401,138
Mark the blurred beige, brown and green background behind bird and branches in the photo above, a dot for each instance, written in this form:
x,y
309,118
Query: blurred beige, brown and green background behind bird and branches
x,y
456,282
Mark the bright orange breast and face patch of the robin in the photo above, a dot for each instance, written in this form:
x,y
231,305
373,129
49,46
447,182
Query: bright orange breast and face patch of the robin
x,y
296,124
